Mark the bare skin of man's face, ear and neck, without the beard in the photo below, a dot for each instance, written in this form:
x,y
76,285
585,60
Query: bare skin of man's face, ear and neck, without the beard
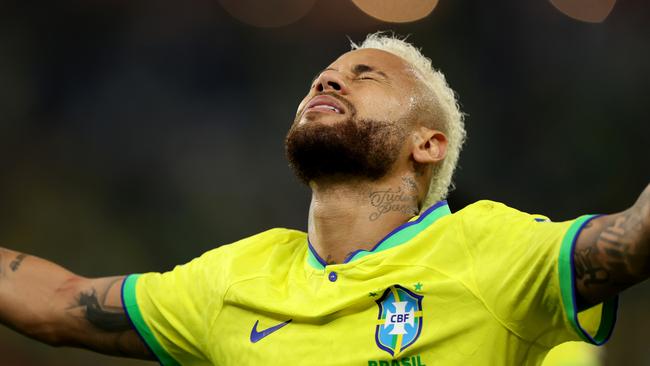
x,y
344,217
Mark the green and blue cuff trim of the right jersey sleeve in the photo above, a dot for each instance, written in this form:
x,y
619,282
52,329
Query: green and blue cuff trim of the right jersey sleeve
x,y
567,288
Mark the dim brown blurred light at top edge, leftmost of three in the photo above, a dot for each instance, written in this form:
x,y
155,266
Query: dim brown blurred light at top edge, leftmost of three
x,y
267,13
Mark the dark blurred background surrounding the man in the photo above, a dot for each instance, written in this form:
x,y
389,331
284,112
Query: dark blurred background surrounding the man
x,y
135,135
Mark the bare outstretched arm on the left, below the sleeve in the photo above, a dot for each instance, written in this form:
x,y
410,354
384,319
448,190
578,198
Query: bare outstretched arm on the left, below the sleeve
x,y
48,303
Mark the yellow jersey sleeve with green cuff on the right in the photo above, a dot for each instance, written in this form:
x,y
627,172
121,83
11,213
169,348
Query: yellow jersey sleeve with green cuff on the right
x,y
523,268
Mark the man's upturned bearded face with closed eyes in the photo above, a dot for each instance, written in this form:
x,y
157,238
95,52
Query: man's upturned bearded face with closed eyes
x,y
354,121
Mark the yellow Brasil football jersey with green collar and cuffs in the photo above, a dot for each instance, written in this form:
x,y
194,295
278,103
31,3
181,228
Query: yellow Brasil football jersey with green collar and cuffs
x,y
487,285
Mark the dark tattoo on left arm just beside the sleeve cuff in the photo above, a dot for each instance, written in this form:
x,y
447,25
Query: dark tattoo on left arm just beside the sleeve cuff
x,y
99,314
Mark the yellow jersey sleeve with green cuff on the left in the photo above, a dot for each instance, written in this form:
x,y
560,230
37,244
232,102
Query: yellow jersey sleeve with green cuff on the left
x,y
172,311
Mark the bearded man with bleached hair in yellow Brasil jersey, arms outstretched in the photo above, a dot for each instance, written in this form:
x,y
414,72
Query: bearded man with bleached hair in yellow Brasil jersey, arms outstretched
x,y
386,274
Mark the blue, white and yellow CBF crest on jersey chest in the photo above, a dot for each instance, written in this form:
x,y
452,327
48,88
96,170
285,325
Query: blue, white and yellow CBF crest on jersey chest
x,y
400,319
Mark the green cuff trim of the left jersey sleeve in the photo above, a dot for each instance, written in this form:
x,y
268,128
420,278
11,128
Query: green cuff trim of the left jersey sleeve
x,y
130,304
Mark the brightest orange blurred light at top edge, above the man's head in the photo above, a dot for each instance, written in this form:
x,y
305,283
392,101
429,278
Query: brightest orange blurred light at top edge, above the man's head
x,y
397,11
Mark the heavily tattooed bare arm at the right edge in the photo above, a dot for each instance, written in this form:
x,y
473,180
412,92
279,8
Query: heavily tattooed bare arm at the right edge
x,y
612,253
